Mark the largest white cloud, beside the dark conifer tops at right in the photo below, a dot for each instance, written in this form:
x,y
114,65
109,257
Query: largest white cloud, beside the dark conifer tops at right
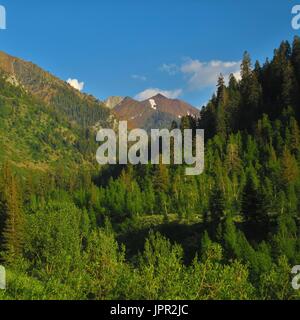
x,y
205,74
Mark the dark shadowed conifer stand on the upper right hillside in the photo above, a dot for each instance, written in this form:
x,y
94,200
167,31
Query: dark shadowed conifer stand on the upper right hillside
x,y
268,89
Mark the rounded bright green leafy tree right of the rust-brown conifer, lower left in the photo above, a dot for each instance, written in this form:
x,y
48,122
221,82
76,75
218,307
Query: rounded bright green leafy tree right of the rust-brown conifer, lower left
x,y
54,239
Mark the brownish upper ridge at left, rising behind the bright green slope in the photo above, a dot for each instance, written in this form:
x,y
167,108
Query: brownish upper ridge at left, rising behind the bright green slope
x,y
83,109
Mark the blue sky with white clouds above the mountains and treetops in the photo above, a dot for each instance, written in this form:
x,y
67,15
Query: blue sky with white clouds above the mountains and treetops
x,y
136,47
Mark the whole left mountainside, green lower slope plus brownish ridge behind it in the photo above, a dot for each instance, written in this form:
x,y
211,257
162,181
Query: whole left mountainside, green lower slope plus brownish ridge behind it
x,y
45,123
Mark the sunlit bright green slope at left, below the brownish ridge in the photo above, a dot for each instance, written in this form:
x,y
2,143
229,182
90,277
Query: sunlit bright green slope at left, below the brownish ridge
x,y
35,136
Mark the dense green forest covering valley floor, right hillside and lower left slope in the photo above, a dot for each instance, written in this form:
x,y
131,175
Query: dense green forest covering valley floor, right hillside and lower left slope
x,y
150,232
